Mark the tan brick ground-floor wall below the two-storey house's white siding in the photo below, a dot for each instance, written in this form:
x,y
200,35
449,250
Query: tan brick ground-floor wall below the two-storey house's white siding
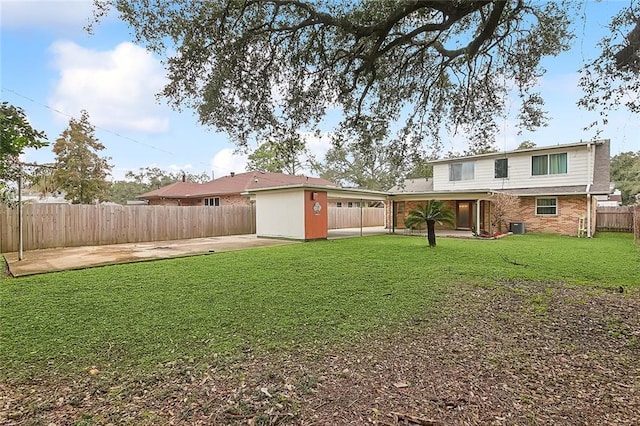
x,y
570,208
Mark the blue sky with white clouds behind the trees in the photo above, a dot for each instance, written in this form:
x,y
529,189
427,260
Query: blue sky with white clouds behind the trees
x,y
53,68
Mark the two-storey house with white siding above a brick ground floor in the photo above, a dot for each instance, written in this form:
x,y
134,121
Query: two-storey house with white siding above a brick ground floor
x,y
556,187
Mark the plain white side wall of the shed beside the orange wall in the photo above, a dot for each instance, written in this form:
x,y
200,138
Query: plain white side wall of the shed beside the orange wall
x,y
280,214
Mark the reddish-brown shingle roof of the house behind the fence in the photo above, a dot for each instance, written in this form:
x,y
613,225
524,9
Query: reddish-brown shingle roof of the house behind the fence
x,y
234,183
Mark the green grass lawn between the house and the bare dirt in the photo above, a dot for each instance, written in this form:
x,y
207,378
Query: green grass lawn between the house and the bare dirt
x,y
133,319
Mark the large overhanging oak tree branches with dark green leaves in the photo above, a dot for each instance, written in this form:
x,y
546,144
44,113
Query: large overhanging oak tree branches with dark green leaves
x,y
251,66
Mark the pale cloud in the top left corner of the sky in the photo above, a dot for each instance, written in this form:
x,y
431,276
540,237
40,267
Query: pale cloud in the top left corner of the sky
x,y
61,16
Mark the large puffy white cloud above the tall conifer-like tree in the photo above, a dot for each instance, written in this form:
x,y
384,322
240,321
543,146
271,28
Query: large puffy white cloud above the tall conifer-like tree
x,y
116,87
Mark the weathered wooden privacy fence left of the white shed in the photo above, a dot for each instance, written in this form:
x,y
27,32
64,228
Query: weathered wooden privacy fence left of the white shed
x,y
64,225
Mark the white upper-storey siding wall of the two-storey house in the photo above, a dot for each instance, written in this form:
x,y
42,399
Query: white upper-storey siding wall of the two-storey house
x,y
578,172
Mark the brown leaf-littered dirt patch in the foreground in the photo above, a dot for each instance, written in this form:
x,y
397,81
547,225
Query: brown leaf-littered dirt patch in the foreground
x,y
515,353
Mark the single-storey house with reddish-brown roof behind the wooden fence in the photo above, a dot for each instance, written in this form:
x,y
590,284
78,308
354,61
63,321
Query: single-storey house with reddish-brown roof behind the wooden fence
x,y
226,190
